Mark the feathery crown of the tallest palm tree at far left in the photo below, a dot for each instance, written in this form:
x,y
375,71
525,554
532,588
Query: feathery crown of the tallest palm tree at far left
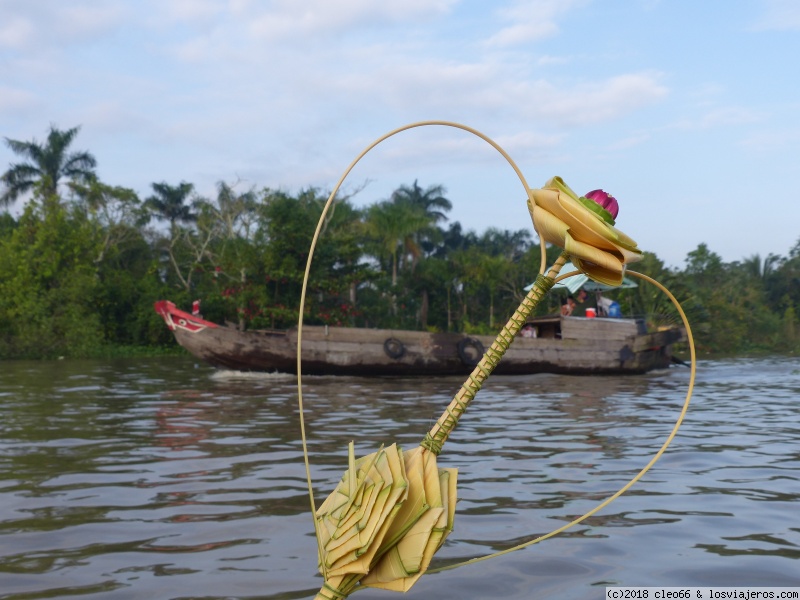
x,y
47,165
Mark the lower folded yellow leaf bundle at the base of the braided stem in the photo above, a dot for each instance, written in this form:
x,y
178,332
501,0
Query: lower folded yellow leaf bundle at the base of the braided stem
x,y
385,520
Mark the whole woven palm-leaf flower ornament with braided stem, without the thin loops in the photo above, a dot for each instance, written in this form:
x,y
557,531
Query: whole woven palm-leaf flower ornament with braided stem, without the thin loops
x,y
393,509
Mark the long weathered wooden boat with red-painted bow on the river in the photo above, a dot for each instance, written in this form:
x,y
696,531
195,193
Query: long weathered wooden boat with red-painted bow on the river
x,y
562,345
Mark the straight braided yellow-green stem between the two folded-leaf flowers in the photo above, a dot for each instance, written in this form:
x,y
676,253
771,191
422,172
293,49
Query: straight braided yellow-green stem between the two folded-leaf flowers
x,y
437,436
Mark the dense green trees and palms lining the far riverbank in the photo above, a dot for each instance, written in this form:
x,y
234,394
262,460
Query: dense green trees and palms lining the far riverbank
x,y
81,266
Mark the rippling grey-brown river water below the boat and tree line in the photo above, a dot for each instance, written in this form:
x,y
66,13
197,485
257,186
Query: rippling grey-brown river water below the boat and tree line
x,y
163,479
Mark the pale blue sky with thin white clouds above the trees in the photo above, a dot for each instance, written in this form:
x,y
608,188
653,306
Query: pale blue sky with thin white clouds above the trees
x,y
687,112
